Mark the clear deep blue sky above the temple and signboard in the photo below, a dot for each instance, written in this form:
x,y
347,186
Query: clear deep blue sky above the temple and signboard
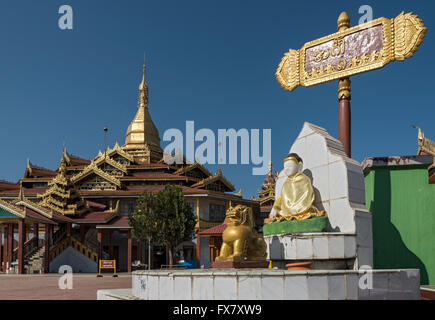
x,y
208,61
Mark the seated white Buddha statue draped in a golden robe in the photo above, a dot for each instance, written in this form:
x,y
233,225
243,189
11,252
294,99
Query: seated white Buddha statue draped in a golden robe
x,y
294,193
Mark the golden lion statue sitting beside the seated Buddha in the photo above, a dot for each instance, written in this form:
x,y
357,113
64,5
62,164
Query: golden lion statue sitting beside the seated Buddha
x,y
240,241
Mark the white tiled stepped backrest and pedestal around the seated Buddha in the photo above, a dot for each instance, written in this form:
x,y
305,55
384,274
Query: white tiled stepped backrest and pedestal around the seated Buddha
x,y
338,182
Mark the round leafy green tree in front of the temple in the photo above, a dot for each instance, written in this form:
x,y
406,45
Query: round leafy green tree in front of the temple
x,y
165,217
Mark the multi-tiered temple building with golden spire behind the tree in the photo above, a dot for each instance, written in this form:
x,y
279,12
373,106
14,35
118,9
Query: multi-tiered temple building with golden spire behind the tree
x,y
78,214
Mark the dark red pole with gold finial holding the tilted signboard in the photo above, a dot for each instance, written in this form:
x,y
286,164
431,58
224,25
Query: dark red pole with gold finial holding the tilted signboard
x,y
344,114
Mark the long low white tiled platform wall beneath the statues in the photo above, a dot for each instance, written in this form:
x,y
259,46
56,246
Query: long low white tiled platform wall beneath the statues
x,y
270,284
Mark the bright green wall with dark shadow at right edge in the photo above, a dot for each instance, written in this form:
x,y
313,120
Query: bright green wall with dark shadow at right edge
x,y
402,203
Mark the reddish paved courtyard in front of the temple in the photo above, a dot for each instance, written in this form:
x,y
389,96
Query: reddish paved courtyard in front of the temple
x,y
46,287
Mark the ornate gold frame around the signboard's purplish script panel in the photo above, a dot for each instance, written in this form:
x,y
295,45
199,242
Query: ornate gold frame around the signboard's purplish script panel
x,y
401,38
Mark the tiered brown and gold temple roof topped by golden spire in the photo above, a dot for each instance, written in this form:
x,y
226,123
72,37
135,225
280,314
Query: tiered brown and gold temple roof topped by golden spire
x,y
125,171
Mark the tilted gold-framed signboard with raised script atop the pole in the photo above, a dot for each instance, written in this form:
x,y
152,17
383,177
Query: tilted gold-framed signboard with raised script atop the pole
x,y
359,49
